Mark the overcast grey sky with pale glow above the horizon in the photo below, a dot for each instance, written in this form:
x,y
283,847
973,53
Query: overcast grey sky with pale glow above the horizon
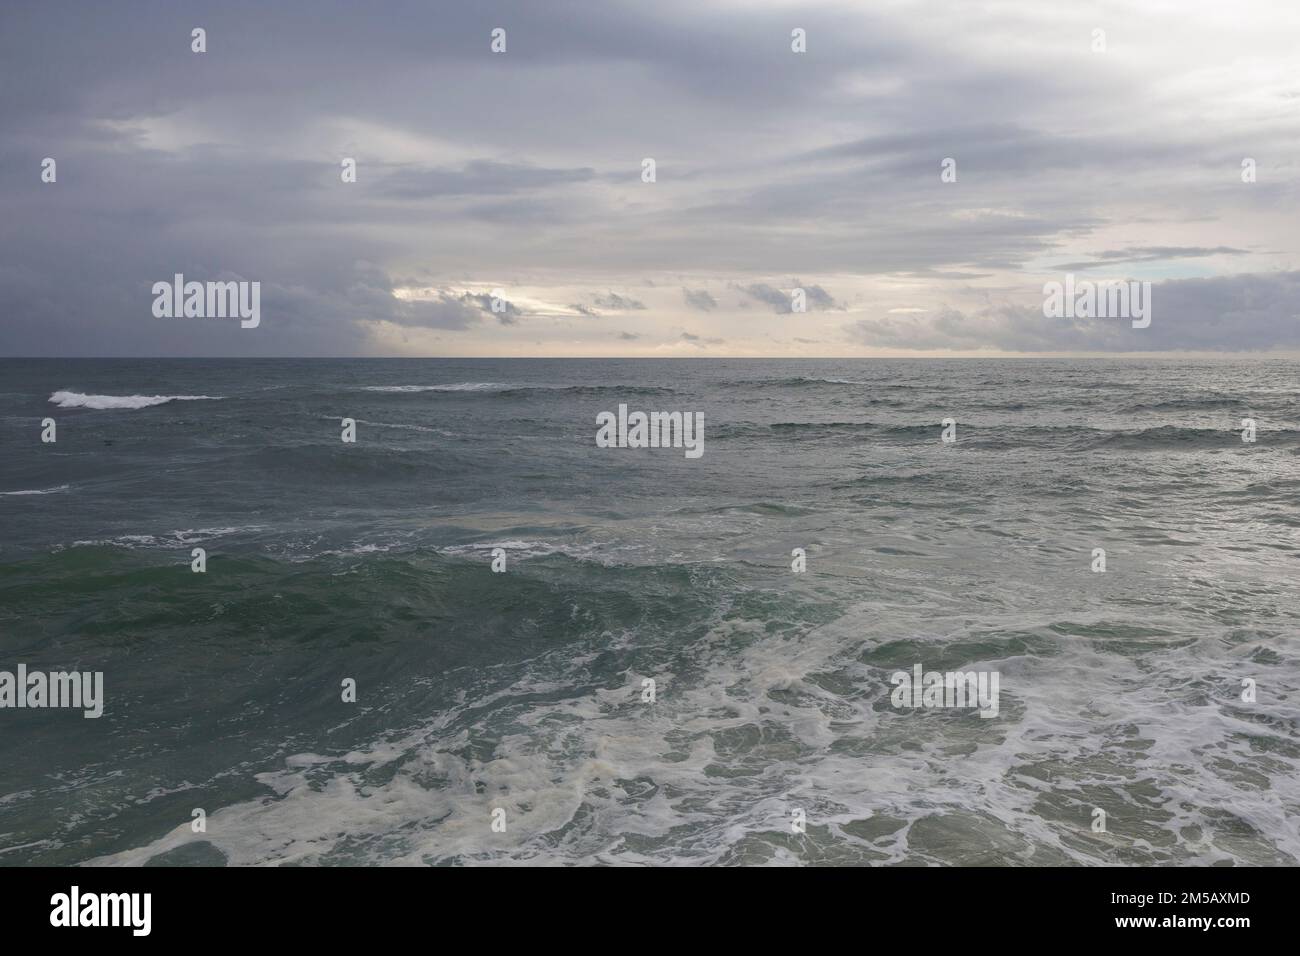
x,y
523,172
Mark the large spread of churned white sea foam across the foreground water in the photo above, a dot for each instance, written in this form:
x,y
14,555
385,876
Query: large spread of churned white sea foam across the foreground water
x,y
748,726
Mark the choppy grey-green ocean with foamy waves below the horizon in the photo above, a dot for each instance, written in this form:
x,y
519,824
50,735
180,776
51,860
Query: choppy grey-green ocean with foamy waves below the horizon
x,y
649,681
